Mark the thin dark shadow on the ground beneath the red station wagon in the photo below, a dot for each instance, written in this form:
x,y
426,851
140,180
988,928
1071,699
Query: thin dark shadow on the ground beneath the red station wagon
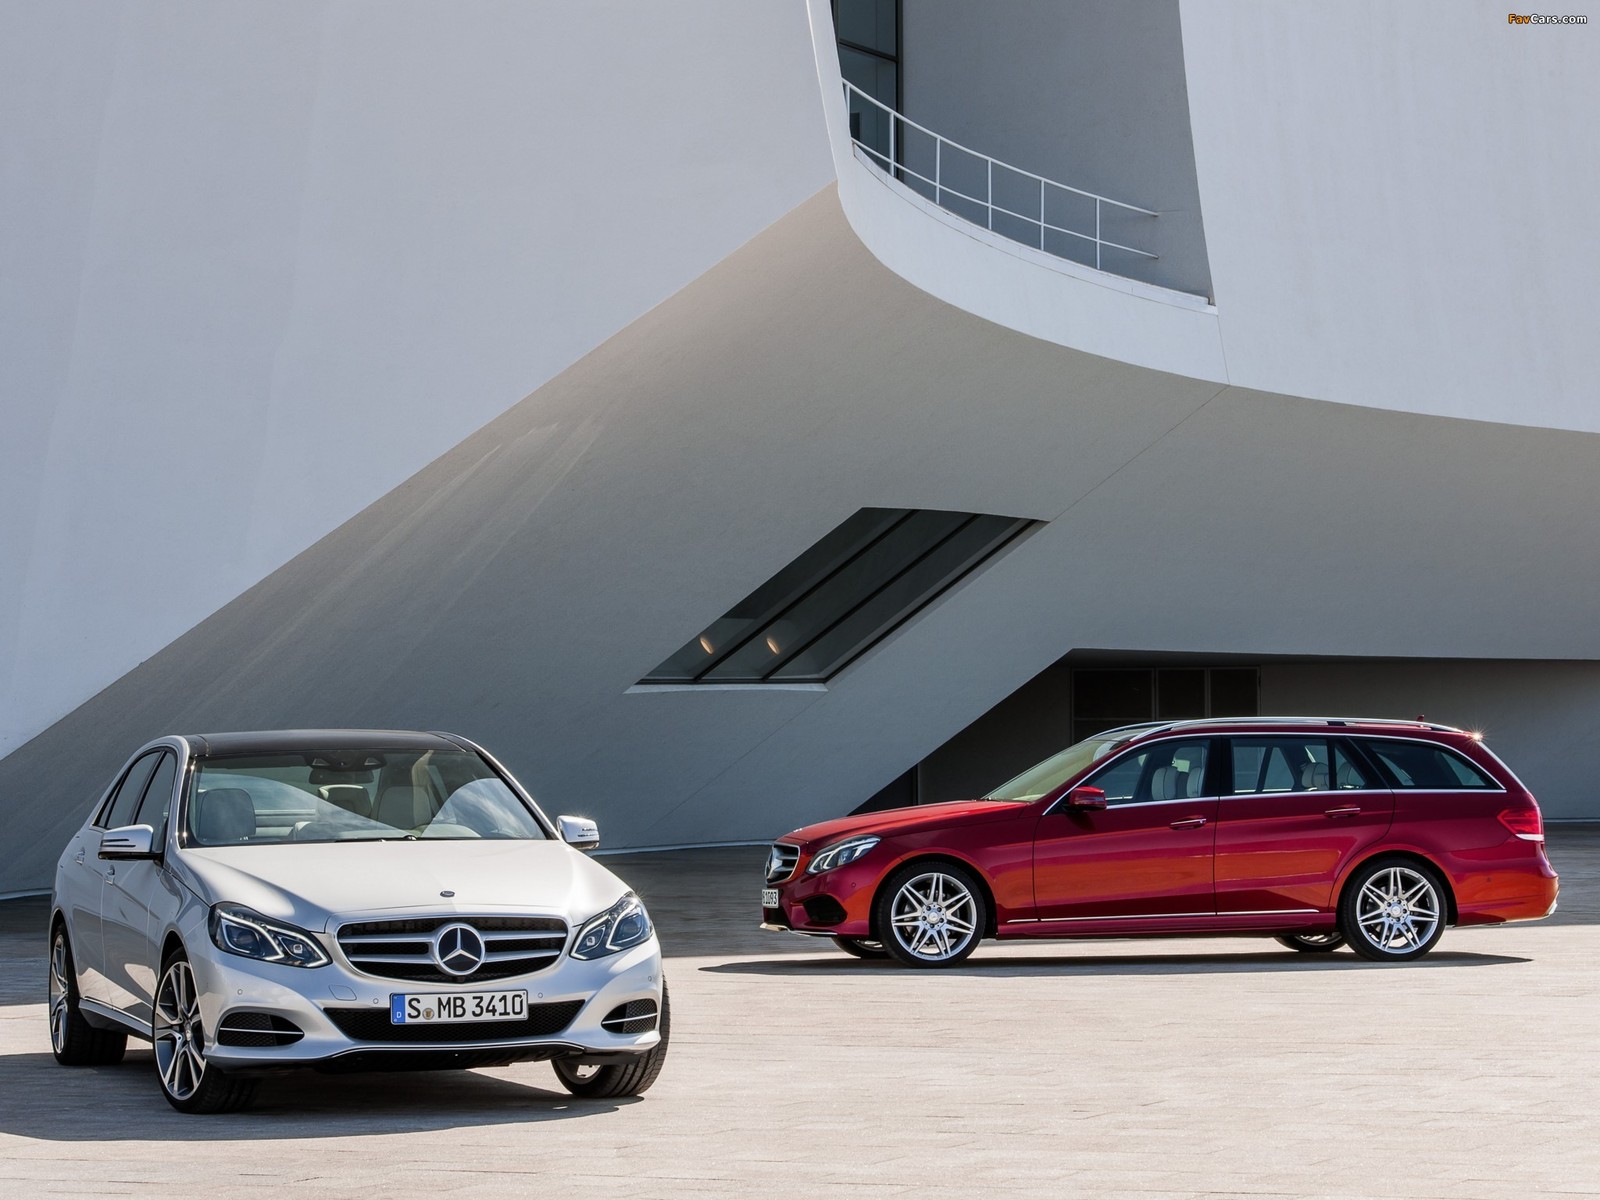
x,y
1116,966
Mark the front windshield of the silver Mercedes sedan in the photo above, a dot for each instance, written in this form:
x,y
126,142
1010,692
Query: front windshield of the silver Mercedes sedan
x,y
353,796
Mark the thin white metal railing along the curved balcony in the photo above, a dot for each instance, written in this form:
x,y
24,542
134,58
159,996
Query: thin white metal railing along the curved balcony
x,y
951,175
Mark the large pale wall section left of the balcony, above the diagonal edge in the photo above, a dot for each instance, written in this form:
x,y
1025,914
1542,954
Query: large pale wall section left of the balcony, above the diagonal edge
x,y
262,263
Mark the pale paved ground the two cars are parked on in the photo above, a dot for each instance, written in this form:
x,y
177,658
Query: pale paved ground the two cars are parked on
x,y
1114,1070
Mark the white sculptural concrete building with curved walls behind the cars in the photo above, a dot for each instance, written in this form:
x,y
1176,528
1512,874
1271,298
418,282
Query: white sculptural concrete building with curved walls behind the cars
x,y
463,367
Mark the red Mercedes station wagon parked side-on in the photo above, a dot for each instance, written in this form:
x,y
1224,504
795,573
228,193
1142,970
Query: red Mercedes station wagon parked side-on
x,y
1314,831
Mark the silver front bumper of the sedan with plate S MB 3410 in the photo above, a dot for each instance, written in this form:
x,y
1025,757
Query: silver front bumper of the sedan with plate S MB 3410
x,y
319,999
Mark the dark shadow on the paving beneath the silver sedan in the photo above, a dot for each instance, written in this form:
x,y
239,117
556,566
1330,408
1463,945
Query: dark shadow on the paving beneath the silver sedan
x,y
42,1100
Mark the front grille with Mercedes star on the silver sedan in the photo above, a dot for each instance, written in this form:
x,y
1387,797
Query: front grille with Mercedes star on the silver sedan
x,y
407,950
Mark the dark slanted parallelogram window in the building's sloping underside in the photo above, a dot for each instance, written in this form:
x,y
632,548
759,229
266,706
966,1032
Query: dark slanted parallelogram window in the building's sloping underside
x,y
852,590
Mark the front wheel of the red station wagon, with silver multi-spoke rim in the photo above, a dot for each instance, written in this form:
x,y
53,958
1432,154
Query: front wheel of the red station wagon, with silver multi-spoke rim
x,y
958,902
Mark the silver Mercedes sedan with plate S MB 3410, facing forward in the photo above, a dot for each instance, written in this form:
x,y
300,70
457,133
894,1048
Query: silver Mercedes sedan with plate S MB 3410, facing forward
x,y
345,900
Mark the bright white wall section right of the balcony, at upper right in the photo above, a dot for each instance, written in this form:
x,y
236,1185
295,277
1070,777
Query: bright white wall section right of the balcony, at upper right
x,y
1399,204
